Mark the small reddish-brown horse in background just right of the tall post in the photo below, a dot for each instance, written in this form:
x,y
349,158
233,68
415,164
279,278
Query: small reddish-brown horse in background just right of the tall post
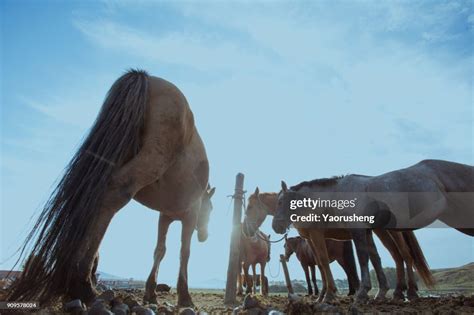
x,y
254,250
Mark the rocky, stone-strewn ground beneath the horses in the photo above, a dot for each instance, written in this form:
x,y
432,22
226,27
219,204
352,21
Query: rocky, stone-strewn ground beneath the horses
x,y
211,302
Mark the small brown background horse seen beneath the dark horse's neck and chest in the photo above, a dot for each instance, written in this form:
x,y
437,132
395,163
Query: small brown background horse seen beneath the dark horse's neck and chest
x,y
336,251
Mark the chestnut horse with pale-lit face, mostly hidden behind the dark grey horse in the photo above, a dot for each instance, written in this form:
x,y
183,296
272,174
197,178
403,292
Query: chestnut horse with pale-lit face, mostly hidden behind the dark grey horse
x,y
403,248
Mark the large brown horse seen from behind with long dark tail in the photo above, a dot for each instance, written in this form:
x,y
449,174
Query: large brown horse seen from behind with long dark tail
x,y
144,145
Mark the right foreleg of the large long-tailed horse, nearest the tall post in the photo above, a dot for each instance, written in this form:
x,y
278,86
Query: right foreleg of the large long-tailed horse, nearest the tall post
x,y
188,226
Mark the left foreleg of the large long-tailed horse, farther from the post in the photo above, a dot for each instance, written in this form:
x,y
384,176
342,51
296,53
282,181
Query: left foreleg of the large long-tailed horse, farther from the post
x,y
160,250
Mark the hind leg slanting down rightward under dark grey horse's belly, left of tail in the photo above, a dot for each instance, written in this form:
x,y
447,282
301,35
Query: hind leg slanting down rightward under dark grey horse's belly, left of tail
x,y
391,246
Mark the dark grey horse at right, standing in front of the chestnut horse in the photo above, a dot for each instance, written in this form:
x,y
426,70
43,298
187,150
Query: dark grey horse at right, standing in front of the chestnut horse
x,y
431,189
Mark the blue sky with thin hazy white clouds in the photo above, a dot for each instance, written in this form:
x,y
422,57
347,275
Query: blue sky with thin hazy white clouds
x,y
279,90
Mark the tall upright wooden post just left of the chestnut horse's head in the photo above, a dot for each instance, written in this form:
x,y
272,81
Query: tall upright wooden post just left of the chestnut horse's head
x,y
233,270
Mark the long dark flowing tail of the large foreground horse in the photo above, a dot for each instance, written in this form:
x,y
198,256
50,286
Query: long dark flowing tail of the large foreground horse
x,y
65,221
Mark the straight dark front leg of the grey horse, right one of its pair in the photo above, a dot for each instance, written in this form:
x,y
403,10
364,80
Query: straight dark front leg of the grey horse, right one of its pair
x,y
360,241
